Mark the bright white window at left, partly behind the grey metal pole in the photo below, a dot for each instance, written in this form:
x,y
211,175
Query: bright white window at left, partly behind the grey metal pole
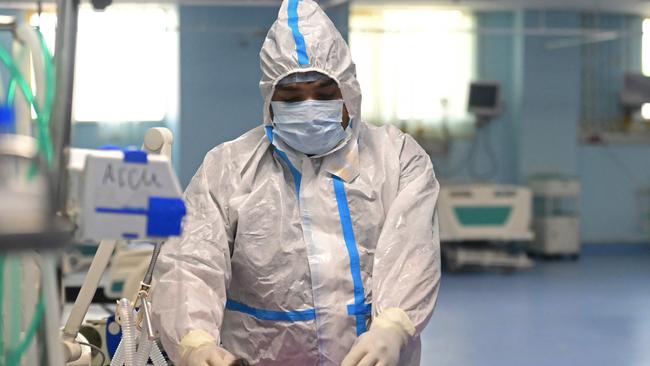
x,y
126,65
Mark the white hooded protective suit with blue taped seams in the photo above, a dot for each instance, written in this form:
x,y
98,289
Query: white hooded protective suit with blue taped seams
x,y
285,259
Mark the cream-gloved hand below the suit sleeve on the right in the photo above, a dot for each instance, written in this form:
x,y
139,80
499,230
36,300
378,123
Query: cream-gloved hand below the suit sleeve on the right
x,y
382,344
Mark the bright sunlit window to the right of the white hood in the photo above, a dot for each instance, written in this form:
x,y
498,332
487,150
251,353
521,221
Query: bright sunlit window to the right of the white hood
x,y
414,64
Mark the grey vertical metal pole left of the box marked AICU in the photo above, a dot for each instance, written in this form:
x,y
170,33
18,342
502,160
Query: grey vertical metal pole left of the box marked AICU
x,y
66,44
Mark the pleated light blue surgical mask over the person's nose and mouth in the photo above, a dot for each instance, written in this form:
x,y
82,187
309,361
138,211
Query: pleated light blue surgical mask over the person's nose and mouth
x,y
312,127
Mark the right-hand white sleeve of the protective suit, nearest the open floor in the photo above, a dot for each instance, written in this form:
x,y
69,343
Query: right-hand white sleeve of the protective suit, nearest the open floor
x,y
406,269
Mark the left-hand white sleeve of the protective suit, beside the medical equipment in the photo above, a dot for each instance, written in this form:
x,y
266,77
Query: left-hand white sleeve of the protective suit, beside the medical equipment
x,y
193,272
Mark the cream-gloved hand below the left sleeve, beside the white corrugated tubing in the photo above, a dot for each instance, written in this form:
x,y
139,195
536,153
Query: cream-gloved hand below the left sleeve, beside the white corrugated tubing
x,y
199,348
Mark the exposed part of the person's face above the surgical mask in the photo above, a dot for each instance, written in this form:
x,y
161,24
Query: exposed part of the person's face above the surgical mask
x,y
314,90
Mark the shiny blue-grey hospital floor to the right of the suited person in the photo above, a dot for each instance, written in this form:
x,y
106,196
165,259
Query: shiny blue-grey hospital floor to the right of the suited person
x,y
592,312
